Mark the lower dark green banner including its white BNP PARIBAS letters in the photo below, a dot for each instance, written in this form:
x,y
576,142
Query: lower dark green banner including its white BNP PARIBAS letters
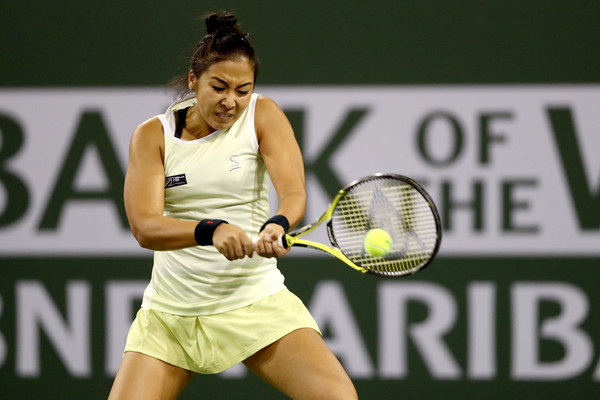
x,y
495,327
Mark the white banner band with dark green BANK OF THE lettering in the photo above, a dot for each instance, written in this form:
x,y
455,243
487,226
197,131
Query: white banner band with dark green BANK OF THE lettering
x,y
513,169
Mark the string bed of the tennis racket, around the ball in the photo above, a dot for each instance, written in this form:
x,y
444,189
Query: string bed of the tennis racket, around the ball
x,y
391,205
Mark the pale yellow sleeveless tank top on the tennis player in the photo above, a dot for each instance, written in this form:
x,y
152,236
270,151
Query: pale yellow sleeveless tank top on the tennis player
x,y
219,176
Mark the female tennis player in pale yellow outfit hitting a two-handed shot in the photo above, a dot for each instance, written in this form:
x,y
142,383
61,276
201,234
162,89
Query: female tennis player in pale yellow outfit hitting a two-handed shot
x,y
196,193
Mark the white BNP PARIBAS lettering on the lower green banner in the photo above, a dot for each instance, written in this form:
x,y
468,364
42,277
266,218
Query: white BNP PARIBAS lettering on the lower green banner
x,y
37,313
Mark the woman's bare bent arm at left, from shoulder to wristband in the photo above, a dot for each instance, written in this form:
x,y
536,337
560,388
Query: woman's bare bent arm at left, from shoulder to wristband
x,y
144,193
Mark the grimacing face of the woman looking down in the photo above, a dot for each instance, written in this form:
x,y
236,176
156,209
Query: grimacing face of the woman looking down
x,y
223,92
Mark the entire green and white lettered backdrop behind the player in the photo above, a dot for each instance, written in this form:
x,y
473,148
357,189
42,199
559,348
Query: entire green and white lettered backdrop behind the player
x,y
496,106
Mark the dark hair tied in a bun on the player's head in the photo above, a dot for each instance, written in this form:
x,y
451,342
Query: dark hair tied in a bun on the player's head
x,y
224,40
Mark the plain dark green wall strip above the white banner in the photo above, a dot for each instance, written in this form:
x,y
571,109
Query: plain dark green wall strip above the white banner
x,y
123,43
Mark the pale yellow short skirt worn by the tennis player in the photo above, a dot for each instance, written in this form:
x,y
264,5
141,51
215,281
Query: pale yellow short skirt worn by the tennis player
x,y
210,344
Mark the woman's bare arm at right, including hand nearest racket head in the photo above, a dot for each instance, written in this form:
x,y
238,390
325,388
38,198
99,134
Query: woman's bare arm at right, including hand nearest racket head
x,y
283,159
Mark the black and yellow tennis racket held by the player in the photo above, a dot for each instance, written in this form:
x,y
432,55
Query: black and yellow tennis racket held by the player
x,y
394,203
